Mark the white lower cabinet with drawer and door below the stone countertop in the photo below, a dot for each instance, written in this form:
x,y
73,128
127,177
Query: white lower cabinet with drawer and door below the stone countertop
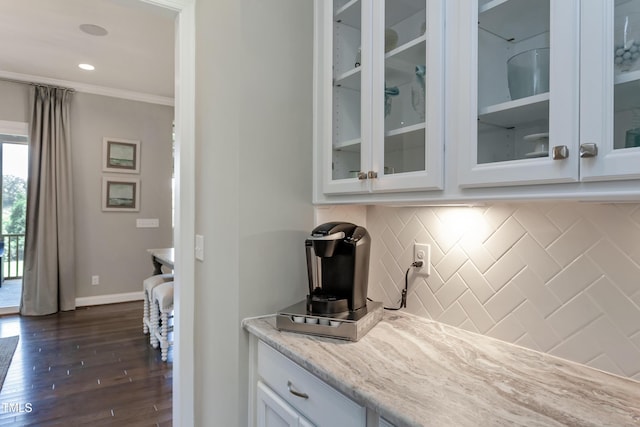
x,y
288,395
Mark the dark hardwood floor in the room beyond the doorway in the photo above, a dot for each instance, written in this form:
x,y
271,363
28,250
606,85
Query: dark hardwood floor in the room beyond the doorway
x,y
92,366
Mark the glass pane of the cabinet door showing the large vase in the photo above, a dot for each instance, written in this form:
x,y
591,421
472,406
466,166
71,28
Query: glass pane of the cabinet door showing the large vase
x,y
513,81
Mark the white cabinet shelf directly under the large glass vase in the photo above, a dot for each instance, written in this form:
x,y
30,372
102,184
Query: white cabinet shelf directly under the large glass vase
x,y
511,113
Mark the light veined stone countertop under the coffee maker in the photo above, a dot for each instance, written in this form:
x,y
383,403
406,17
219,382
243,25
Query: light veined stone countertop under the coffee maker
x,y
417,372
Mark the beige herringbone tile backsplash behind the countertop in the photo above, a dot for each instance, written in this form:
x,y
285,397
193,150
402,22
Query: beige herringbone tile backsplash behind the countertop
x,y
561,278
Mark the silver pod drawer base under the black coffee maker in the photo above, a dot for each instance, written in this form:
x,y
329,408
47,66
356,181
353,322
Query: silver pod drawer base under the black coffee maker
x,y
348,325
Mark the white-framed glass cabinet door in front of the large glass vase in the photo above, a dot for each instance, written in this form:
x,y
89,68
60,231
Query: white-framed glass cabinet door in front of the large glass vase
x,y
526,88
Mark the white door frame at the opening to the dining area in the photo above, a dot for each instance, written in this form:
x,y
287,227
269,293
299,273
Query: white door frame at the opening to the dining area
x,y
184,231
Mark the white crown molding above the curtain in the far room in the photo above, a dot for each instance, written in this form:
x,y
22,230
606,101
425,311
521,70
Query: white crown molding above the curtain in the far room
x,y
87,88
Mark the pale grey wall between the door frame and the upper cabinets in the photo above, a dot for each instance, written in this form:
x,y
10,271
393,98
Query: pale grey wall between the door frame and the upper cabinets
x,y
253,174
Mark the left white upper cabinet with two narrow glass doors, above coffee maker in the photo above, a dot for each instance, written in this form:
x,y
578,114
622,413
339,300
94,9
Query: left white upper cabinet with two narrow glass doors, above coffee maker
x,y
379,95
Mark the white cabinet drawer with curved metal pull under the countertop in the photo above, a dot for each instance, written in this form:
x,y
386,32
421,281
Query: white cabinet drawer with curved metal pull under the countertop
x,y
323,405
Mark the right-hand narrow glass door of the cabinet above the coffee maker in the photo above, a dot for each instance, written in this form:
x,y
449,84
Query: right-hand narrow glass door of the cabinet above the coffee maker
x,y
407,97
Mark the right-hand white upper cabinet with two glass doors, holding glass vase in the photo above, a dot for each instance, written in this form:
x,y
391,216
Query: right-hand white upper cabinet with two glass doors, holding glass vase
x,y
547,91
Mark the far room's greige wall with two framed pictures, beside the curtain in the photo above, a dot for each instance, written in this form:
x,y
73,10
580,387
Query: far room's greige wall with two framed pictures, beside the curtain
x,y
108,244
